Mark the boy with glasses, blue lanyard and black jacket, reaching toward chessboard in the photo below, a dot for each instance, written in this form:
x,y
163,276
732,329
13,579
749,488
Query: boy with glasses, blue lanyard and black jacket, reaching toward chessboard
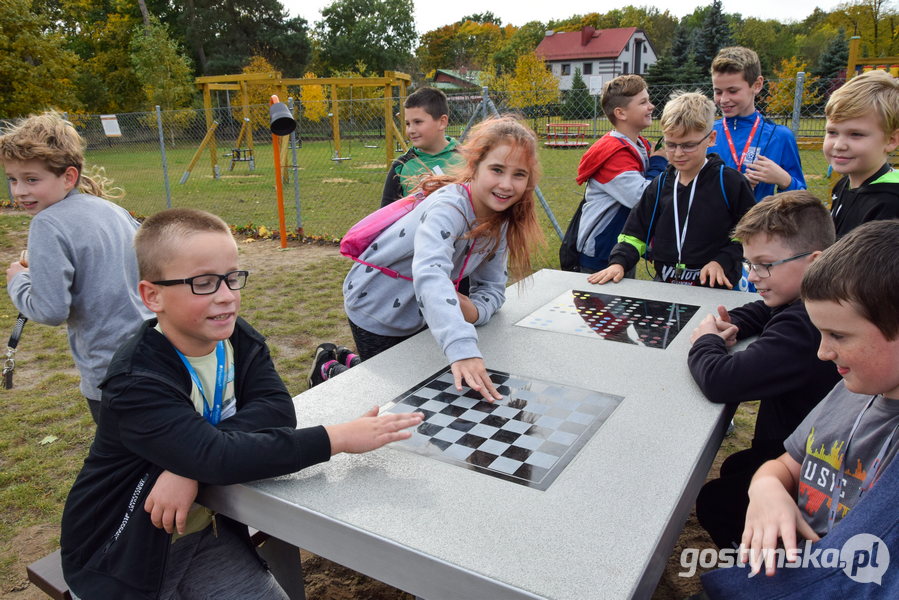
x,y
192,397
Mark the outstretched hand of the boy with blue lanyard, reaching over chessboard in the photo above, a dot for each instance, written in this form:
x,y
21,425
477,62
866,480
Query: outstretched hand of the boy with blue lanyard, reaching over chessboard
x,y
370,431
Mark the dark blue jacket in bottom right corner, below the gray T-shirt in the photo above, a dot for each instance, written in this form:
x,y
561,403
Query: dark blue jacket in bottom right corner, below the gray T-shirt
x,y
874,515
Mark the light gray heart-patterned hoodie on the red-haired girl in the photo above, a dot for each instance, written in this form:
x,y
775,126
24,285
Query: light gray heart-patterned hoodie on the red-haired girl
x,y
427,245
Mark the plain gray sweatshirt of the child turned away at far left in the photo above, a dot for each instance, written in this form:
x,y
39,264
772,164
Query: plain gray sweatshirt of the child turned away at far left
x,y
82,271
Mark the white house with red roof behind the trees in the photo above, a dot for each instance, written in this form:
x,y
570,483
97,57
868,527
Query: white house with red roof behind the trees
x,y
600,54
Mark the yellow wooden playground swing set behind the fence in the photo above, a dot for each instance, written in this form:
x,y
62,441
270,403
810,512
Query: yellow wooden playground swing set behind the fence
x,y
243,149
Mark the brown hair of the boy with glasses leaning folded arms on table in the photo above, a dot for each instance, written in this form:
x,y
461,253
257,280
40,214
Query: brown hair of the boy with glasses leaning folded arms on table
x,y
797,218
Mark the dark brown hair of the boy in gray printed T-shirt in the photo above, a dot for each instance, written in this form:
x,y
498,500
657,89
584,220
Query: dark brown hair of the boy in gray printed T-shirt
x,y
861,270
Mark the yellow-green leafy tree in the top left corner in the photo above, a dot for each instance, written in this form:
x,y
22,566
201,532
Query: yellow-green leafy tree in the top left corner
x,y
36,71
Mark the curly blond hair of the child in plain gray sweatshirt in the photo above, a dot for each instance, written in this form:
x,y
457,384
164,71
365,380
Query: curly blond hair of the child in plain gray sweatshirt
x,y
52,140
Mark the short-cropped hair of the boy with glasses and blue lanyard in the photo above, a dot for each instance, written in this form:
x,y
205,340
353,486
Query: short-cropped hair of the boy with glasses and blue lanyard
x,y
157,240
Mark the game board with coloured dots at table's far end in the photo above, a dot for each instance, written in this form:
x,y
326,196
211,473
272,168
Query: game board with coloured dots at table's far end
x,y
650,323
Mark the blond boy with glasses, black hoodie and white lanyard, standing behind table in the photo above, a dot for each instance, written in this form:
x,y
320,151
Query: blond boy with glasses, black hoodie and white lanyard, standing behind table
x,y
684,217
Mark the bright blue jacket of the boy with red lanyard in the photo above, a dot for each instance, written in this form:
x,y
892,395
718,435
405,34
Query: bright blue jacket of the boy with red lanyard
x,y
771,140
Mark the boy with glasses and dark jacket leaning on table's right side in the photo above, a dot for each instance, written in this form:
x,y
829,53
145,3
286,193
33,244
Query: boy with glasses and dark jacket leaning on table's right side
x,y
781,238
